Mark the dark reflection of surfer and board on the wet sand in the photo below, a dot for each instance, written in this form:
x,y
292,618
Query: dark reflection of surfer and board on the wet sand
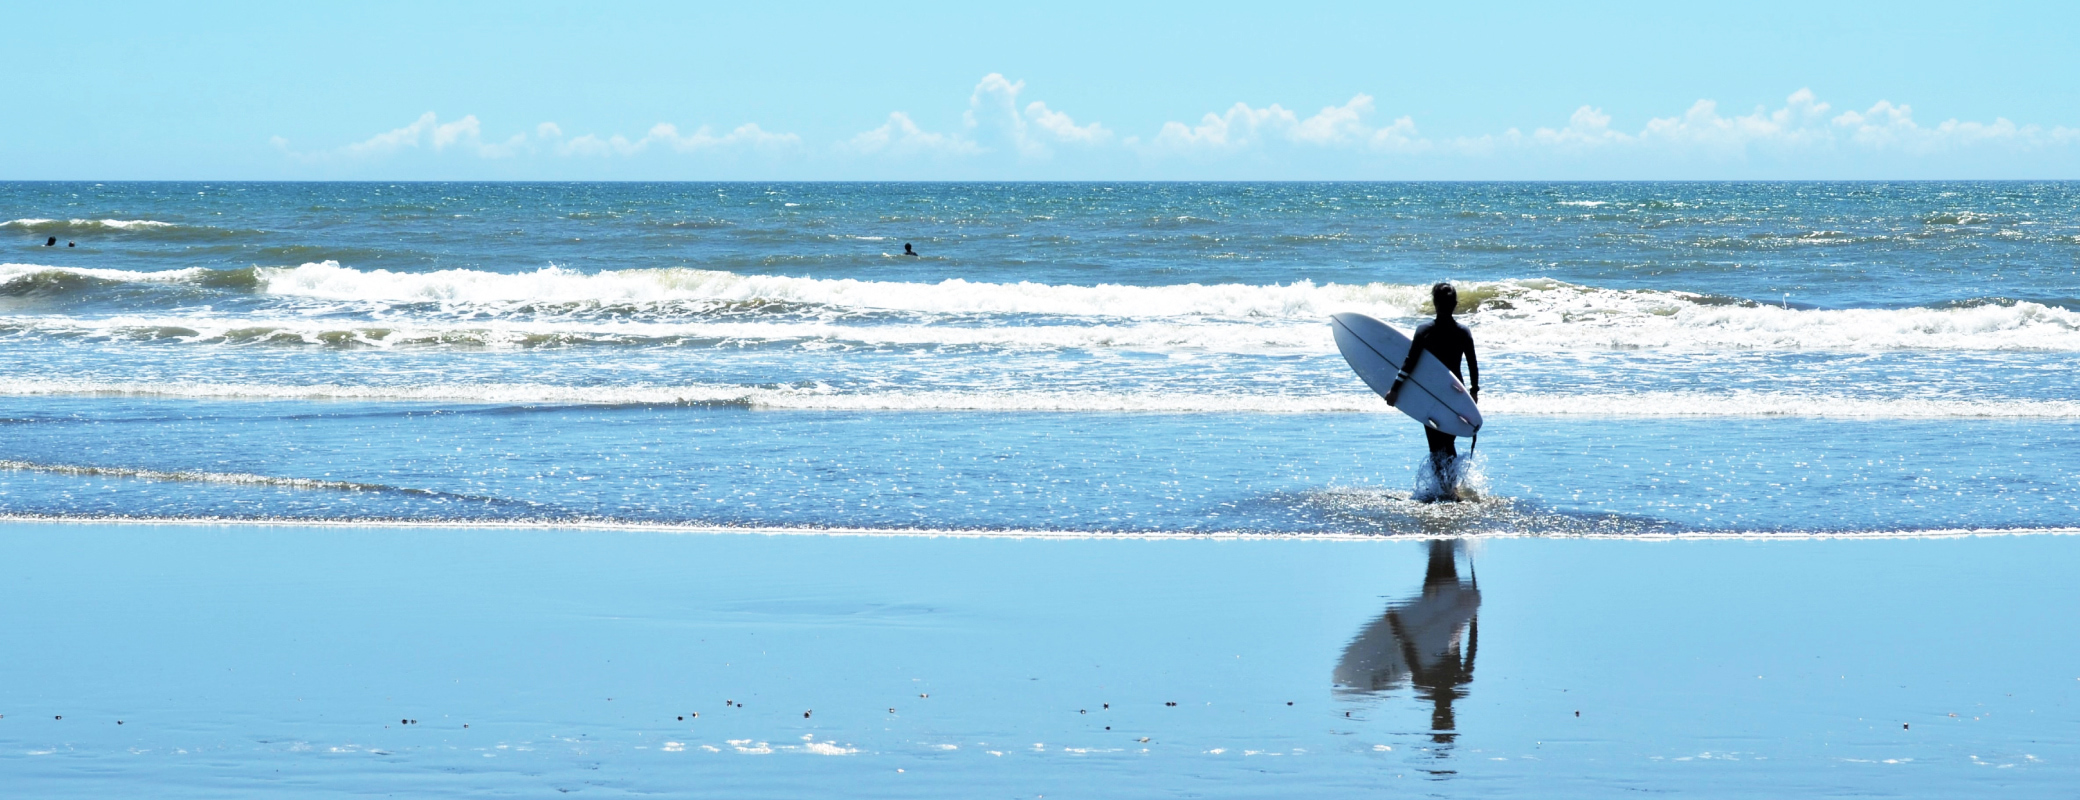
x,y
1428,641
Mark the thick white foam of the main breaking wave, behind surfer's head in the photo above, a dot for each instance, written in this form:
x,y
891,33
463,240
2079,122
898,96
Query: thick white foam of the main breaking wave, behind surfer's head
x,y
1526,315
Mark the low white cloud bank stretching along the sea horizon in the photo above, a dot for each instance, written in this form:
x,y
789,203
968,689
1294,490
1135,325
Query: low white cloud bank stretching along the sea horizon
x,y
1008,136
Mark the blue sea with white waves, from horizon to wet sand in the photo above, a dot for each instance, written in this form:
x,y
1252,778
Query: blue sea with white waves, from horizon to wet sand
x,y
1060,358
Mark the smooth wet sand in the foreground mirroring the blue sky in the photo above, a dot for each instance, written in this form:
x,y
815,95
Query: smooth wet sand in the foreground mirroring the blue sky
x,y
434,662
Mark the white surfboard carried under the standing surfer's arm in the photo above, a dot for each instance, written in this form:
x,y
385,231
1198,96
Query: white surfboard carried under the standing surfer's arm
x,y
1432,394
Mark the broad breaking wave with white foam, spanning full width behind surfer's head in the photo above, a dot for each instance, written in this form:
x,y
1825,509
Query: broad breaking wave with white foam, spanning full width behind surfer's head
x,y
563,306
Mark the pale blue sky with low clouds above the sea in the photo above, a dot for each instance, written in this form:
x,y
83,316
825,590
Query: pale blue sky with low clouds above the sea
x,y
1041,92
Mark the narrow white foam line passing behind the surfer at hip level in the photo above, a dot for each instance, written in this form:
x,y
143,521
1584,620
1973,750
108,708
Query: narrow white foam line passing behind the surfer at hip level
x,y
1613,406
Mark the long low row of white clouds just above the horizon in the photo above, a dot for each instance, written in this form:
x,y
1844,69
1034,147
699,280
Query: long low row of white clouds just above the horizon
x,y
1004,128
